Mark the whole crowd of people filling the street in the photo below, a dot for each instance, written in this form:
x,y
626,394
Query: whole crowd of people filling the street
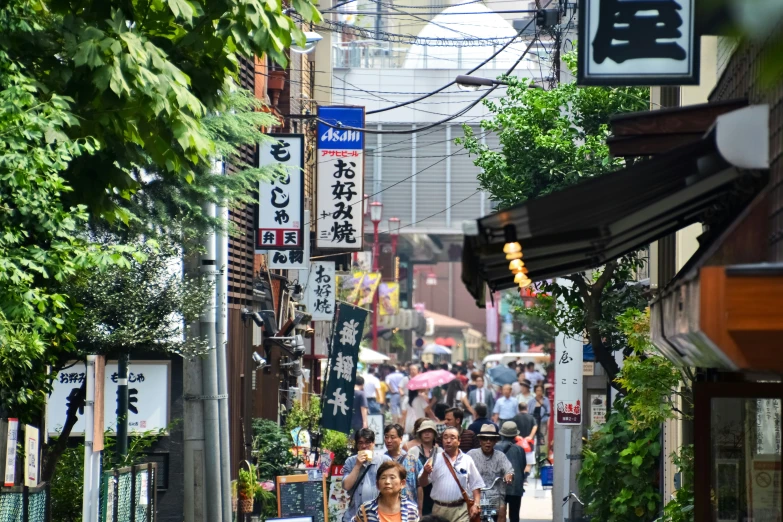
x,y
444,444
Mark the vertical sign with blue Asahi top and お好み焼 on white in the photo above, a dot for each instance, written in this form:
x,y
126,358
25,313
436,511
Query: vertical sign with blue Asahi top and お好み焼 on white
x,y
340,178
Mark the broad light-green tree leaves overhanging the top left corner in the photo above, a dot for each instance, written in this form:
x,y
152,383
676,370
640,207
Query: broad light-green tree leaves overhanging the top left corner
x,y
143,74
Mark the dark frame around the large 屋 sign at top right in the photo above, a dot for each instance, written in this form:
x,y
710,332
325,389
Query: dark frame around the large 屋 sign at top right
x,y
584,42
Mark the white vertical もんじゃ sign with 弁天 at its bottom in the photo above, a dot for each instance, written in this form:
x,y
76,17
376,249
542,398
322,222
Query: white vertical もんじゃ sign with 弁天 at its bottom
x,y
281,199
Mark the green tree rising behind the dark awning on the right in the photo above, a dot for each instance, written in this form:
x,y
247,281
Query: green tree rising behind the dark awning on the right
x,y
550,140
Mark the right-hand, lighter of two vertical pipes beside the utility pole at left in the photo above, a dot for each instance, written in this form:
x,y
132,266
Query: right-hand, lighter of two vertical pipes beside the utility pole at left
x,y
221,347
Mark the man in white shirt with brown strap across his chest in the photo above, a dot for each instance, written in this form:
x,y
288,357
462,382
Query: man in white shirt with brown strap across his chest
x,y
447,487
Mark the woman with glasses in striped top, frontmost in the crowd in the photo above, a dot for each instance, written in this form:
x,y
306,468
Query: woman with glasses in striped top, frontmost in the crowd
x,y
390,505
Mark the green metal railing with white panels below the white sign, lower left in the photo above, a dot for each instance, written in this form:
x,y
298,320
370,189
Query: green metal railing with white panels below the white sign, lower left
x,y
129,494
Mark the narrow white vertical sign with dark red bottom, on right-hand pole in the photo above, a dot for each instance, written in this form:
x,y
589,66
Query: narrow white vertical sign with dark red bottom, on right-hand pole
x,y
568,381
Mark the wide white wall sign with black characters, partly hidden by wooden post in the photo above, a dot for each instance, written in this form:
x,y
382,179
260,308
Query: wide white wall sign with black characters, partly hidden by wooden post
x,y
149,396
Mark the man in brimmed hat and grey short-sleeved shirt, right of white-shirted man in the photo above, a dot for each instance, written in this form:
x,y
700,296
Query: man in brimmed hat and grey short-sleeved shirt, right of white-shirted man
x,y
493,464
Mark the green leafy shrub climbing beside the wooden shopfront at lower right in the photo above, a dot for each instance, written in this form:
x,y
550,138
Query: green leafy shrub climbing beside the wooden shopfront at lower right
x,y
617,479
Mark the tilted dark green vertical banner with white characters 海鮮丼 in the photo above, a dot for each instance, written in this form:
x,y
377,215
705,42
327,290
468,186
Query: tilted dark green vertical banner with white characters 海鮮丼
x,y
338,397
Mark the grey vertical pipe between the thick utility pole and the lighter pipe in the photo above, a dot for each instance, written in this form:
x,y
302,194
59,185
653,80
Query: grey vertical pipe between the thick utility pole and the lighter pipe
x,y
212,480
